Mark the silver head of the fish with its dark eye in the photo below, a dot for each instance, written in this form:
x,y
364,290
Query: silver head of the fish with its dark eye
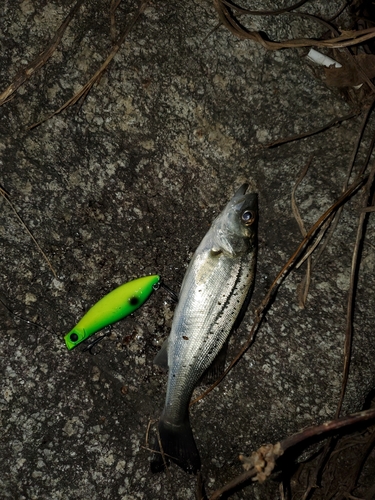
x,y
234,231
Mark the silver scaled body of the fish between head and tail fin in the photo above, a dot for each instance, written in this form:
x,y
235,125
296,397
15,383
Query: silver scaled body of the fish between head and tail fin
x,y
212,295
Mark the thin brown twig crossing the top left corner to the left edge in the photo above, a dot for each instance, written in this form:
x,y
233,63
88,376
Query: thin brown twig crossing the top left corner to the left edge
x,y
40,60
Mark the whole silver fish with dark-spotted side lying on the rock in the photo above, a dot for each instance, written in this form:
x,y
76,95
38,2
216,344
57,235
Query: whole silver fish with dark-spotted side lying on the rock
x,y
214,292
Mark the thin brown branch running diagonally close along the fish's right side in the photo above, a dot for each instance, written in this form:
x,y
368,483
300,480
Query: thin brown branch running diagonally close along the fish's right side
x,y
280,277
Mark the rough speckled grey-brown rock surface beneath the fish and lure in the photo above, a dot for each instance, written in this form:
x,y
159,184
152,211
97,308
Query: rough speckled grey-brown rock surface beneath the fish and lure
x,y
127,184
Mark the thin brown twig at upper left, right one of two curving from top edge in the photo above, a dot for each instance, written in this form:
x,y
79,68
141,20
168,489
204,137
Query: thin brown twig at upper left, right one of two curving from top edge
x,y
82,93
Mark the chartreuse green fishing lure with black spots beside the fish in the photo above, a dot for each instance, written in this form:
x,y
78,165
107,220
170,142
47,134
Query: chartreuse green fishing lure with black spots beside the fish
x,y
119,303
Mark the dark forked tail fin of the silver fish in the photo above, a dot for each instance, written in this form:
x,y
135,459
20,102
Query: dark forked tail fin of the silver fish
x,y
178,445
